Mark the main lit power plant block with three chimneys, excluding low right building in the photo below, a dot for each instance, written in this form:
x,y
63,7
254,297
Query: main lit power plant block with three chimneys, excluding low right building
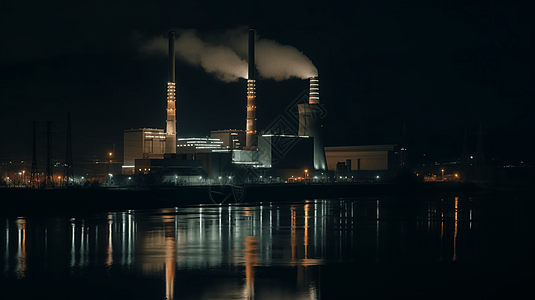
x,y
268,157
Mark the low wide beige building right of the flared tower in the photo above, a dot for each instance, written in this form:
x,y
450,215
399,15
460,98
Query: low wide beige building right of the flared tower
x,y
370,163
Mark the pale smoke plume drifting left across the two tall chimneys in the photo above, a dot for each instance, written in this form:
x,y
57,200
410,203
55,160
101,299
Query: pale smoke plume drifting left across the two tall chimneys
x,y
225,55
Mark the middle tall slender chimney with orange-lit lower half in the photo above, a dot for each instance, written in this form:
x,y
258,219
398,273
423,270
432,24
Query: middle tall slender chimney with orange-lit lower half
x,y
251,137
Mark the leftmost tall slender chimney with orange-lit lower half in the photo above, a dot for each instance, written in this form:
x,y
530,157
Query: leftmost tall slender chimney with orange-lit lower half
x,y
170,133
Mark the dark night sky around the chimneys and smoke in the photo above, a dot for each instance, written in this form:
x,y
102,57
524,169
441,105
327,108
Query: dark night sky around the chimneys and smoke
x,y
440,66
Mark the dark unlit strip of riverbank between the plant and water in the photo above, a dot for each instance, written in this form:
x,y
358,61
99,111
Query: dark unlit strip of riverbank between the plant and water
x,y
74,200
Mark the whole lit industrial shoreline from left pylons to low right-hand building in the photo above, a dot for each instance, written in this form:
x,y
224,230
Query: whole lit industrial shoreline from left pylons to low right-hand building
x,y
156,156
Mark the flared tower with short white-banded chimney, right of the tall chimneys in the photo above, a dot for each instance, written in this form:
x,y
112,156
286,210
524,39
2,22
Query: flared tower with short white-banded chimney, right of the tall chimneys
x,y
310,123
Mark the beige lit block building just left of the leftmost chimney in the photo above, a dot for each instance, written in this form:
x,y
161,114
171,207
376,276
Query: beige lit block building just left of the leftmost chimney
x,y
142,143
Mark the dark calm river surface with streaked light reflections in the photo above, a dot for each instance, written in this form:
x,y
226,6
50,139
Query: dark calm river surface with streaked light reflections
x,y
389,247
